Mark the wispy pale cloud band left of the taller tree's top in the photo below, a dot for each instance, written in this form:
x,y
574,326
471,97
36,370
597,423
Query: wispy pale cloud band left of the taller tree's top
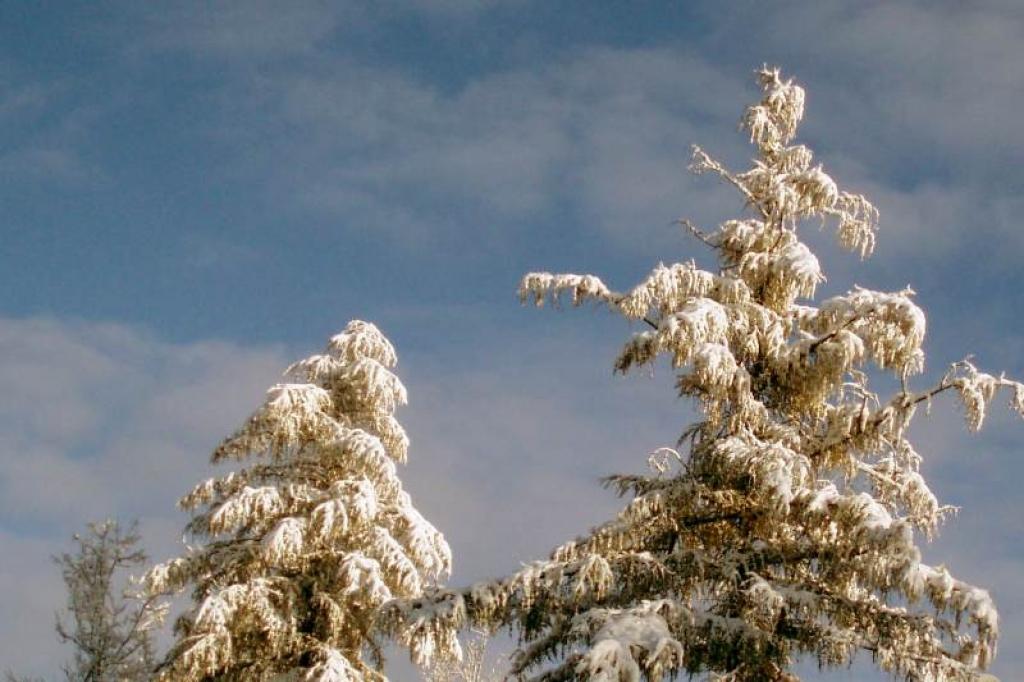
x,y
605,135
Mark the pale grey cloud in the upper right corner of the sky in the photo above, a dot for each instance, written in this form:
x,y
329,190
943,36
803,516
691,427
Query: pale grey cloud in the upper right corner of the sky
x,y
932,87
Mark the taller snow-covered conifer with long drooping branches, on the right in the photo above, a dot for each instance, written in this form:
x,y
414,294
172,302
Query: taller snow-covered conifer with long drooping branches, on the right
x,y
787,523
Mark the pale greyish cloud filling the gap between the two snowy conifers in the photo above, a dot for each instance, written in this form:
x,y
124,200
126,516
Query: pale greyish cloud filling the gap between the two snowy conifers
x,y
507,458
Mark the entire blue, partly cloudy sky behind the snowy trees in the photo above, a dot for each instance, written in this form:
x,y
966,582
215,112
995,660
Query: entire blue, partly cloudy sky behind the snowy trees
x,y
197,194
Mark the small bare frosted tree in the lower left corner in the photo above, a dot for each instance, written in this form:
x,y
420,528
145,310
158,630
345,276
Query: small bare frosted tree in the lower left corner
x,y
107,622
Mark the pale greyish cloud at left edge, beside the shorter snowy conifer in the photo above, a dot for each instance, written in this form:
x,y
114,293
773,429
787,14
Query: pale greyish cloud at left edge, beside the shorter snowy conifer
x,y
99,421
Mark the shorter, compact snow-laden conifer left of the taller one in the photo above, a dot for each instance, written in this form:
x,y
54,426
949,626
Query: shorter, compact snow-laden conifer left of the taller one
x,y
306,544
